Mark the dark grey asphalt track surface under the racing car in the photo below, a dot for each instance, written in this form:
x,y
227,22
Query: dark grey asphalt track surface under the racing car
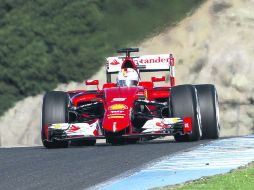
x,y
78,167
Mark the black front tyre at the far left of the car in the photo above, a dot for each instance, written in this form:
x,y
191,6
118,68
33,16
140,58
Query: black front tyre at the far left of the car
x,y
54,110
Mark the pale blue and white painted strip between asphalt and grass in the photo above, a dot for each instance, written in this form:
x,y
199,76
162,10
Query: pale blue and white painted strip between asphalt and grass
x,y
218,157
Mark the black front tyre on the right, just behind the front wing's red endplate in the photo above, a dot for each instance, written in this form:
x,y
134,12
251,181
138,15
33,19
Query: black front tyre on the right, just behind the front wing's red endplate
x,y
183,102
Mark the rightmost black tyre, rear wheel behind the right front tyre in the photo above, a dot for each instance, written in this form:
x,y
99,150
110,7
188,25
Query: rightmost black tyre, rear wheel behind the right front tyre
x,y
209,109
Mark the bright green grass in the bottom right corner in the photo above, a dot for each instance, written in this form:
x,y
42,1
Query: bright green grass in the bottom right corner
x,y
240,179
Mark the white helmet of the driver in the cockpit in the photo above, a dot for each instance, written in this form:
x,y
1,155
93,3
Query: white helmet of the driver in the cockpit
x,y
127,77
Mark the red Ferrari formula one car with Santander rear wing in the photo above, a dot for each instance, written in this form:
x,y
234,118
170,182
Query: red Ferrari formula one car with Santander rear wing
x,y
129,110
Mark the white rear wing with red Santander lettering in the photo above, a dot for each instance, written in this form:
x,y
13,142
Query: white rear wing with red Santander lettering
x,y
145,63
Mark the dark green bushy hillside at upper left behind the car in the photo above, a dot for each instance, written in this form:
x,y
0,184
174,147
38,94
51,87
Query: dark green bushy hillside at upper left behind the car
x,y
46,42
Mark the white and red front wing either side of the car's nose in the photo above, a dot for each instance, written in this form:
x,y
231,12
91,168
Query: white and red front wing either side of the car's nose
x,y
155,127
